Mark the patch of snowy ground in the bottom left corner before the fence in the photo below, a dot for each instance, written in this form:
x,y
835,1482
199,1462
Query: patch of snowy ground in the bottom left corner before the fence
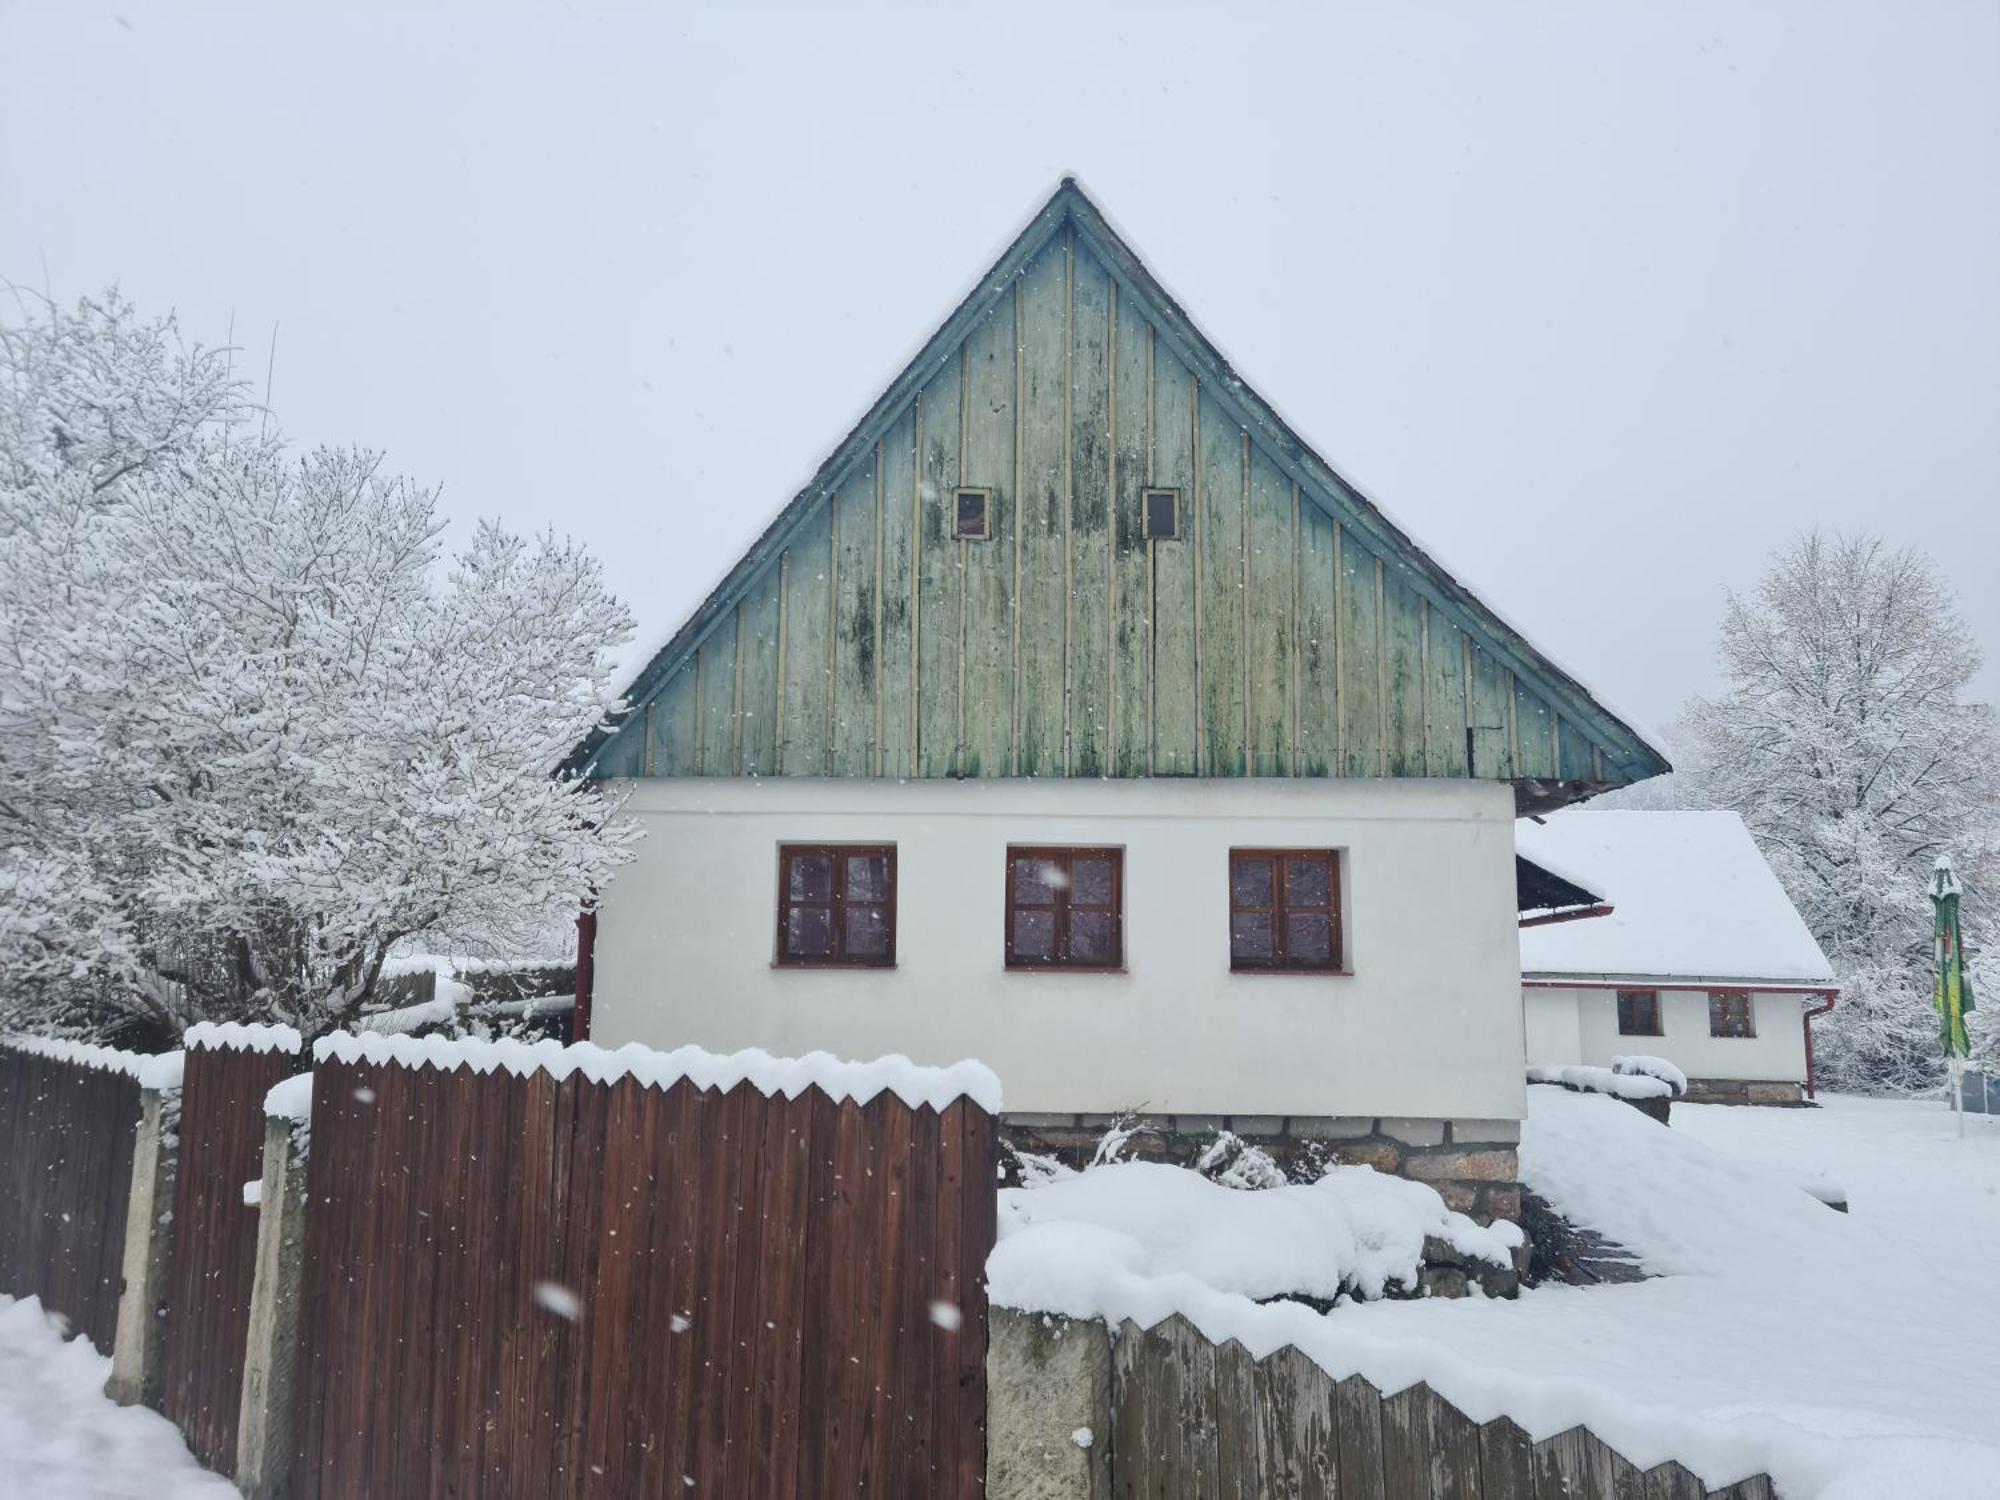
x,y
63,1441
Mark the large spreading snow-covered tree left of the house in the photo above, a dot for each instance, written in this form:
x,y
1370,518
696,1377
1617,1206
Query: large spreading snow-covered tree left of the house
x,y
251,739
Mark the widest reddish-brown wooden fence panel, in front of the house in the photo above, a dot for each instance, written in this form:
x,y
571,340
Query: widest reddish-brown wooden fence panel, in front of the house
x,y
523,1287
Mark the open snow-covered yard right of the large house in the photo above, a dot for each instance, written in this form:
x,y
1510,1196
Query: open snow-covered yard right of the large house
x,y
1857,1357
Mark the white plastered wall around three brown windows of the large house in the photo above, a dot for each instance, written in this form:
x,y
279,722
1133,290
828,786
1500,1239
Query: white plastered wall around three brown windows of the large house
x,y
1429,1023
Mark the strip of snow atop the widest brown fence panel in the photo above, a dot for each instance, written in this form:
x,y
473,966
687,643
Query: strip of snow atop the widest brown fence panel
x,y
839,1079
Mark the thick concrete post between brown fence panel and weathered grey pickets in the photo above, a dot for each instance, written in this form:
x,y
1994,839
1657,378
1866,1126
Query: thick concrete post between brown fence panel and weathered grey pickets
x,y
1049,1407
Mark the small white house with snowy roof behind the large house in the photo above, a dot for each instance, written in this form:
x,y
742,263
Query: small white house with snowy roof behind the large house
x,y
1701,957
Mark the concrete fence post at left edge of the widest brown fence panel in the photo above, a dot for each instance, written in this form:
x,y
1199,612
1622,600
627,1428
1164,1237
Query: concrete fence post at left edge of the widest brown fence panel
x,y
269,1409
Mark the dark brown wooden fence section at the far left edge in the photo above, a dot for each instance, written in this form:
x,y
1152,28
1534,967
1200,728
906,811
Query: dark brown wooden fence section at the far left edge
x,y
65,1179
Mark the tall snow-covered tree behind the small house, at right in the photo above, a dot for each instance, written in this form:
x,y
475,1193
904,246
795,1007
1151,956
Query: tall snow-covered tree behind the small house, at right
x,y
1849,747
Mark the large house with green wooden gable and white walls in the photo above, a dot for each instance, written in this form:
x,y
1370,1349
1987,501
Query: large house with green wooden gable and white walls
x,y
1077,717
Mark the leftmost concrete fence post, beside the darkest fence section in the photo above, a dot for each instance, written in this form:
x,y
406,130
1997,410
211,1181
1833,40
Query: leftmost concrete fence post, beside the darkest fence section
x,y
139,1347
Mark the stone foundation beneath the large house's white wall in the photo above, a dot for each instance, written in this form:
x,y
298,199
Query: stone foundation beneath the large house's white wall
x,y
1471,1163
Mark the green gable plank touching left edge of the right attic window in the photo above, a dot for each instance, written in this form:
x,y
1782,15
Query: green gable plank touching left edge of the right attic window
x,y
1133,569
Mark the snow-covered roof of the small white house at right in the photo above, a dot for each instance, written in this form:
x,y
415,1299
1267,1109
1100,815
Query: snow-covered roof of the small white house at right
x,y
1691,893
